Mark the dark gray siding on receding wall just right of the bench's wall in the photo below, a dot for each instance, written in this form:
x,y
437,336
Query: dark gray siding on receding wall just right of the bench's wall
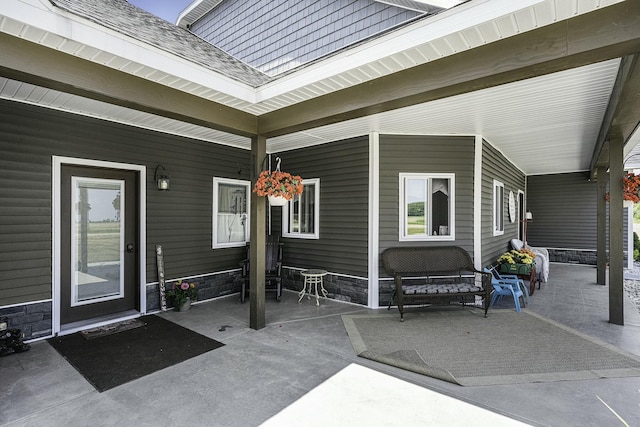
x,y
496,167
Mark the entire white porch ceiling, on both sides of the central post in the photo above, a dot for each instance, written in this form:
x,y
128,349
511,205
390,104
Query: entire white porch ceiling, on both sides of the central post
x,y
547,124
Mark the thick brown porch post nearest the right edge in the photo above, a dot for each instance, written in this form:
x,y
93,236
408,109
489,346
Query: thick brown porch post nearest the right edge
x,y
616,289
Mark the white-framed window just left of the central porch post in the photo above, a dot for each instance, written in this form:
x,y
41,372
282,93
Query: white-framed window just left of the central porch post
x,y
231,206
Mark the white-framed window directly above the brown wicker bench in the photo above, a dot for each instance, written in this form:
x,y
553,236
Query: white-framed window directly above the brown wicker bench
x,y
427,206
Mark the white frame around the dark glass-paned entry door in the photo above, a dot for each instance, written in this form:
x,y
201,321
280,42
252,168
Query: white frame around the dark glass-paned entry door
x,y
58,162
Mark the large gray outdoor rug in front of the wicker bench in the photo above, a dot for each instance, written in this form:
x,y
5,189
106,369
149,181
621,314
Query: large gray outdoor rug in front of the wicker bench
x,y
463,347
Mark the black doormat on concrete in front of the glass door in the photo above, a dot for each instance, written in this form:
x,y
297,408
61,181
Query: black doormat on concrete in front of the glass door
x,y
115,359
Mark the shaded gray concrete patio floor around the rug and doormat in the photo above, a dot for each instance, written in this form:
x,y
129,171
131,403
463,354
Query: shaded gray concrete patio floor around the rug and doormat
x,y
257,374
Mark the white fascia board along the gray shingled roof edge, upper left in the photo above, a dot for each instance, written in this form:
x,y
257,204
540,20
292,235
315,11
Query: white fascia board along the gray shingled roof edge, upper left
x,y
39,15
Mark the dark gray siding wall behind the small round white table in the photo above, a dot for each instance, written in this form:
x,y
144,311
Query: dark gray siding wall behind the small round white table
x,y
342,249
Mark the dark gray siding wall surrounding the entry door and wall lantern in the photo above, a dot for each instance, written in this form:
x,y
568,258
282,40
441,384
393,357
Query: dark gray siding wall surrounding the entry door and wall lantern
x,y
179,219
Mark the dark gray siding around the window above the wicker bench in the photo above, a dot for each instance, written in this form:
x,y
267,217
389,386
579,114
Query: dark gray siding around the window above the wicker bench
x,y
426,154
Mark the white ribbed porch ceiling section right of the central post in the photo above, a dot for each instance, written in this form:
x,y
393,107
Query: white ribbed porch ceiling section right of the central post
x,y
544,125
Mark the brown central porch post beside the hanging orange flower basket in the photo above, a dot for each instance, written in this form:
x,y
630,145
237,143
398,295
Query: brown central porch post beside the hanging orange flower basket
x,y
258,239
